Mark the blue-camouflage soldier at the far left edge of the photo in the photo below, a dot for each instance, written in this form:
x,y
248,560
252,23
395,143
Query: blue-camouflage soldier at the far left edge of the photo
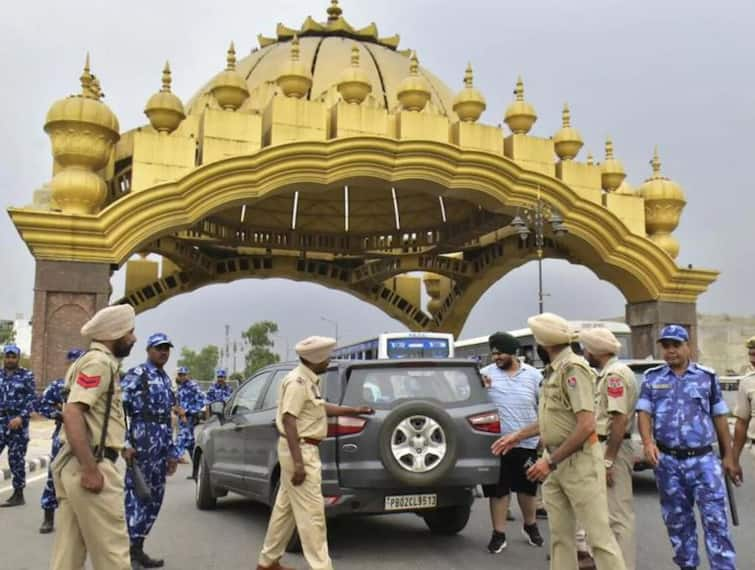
x,y
17,399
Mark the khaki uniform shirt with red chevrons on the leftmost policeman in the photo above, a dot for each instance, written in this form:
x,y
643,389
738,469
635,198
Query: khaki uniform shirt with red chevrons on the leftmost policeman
x,y
88,380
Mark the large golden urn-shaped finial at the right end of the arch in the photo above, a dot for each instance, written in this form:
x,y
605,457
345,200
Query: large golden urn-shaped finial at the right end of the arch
x,y
664,202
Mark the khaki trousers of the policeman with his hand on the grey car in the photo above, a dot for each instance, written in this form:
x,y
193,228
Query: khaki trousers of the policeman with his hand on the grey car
x,y
298,507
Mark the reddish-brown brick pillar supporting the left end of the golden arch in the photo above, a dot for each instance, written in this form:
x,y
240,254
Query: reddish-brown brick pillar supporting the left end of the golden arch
x,y
66,295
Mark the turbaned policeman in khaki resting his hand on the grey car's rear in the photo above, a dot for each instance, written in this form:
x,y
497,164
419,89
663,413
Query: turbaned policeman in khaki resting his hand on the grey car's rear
x,y
301,421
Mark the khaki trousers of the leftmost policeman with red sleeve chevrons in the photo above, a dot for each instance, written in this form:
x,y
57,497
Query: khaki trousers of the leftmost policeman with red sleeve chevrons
x,y
90,523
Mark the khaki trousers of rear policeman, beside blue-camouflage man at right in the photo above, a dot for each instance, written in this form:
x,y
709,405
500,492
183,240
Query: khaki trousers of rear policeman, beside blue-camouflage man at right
x,y
621,504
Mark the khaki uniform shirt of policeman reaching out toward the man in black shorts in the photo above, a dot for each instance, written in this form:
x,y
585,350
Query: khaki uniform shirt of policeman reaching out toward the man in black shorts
x,y
568,388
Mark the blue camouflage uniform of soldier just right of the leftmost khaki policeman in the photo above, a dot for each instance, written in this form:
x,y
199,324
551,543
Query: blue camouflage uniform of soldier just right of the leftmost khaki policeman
x,y
148,401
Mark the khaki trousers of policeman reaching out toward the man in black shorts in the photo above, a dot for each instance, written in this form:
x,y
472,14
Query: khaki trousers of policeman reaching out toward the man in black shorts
x,y
577,490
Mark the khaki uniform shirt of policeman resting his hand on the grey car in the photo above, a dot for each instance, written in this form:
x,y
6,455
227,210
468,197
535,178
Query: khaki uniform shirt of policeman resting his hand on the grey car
x,y
300,396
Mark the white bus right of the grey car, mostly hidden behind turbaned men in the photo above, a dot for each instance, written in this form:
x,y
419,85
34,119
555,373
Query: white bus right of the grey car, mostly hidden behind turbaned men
x,y
478,348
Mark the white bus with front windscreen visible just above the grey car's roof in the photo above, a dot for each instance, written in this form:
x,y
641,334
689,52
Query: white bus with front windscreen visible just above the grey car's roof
x,y
399,345
